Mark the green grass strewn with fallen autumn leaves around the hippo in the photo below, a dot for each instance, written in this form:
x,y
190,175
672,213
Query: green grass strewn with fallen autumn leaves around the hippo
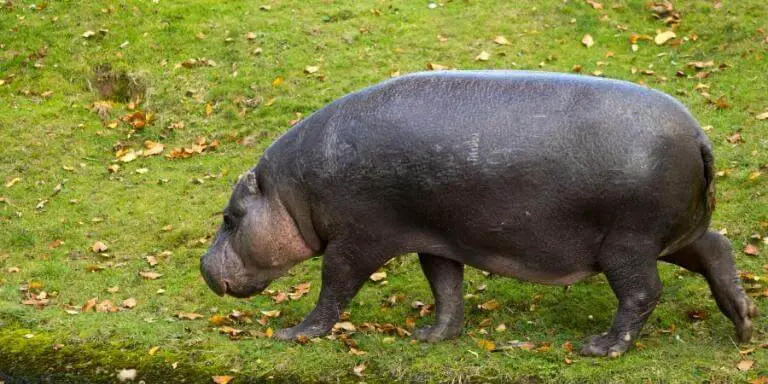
x,y
56,138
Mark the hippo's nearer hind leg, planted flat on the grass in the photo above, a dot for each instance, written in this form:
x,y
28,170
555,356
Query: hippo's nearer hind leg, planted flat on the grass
x,y
629,263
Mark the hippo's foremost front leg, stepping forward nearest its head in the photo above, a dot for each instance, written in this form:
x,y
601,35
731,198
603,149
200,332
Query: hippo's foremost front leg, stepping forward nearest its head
x,y
343,275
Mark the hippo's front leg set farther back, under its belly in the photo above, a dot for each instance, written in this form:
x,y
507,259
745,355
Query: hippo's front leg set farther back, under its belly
x,y
445,278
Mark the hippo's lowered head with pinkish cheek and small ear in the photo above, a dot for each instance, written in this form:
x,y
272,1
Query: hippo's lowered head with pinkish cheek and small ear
x,y
257,242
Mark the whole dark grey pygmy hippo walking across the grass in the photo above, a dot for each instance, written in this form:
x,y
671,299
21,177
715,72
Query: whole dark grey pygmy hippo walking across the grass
x,y
548,178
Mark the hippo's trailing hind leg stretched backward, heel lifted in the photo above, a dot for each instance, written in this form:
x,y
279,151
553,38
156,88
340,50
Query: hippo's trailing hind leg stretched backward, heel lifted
x,y
710,256
